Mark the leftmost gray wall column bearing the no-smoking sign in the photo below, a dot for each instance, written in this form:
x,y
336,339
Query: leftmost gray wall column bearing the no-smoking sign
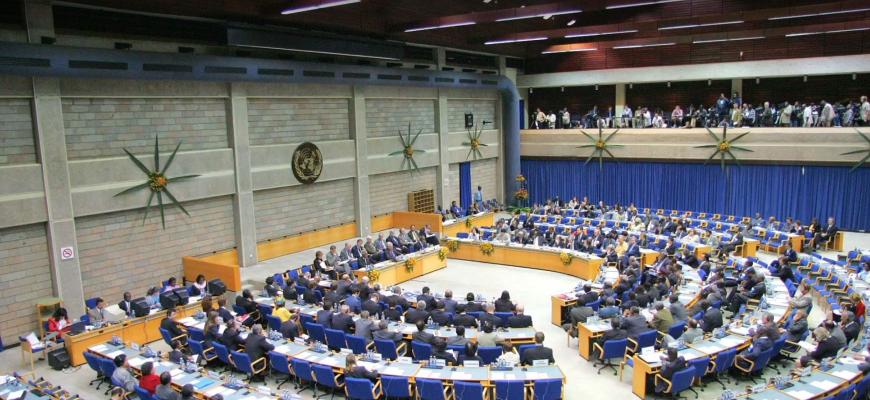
x,y
61,227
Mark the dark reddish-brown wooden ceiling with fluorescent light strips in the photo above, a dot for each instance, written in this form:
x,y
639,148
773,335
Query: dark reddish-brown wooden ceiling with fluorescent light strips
x,y
389,20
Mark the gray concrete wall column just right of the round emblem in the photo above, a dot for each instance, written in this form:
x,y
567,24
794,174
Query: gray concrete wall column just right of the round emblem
x,y
361,183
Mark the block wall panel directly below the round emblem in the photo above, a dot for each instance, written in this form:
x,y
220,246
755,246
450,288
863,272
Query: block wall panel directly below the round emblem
x,y
294,209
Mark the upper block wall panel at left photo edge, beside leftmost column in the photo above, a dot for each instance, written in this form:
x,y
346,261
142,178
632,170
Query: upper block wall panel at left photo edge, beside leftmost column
x,y
16,132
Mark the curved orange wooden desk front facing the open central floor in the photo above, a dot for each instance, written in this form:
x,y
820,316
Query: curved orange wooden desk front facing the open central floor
x,y
529,258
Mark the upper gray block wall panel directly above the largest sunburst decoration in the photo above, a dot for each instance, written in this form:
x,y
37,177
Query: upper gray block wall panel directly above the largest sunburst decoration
x,y
101,127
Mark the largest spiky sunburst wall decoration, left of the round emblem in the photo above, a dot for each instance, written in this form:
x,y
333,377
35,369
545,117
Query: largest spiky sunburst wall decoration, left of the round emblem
x,y
157,182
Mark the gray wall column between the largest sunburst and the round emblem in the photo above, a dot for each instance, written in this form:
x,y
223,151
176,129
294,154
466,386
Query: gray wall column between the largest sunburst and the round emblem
x,y
243,200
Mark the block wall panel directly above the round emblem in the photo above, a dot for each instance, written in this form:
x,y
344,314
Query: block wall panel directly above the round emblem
x,y
296,120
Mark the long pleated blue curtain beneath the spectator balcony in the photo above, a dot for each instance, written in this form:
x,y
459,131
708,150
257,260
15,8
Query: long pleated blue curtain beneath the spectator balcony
x,y
802,192
